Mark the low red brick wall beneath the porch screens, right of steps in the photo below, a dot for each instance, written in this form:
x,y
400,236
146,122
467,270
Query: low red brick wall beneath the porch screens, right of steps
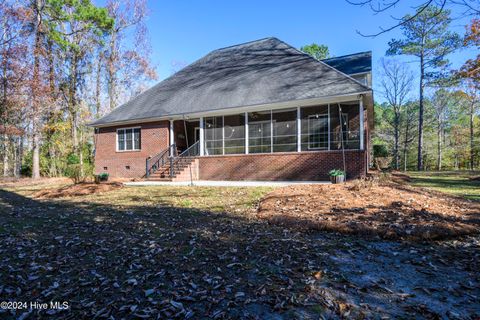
x,y
281,166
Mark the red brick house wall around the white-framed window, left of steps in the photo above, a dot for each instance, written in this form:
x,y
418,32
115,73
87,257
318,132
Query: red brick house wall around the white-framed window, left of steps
x,y
129,164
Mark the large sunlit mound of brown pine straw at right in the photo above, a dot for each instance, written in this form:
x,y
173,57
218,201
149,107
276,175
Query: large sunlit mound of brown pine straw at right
x,y
386,210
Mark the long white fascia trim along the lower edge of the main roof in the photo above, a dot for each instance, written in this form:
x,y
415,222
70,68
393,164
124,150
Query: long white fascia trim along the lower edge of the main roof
x,y
236,110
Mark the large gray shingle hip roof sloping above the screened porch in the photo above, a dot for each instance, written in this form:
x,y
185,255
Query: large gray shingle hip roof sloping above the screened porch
x,y
259,72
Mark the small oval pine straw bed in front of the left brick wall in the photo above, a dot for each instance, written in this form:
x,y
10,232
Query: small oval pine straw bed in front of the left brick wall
x,y
75,190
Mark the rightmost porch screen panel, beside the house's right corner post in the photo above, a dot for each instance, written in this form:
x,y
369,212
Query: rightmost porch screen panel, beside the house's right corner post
x,y
345,127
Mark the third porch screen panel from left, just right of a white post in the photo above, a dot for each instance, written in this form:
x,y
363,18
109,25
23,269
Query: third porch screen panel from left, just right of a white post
x,y
259,132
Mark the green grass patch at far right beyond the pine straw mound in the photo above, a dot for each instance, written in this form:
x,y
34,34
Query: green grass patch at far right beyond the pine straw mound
x,y
457,183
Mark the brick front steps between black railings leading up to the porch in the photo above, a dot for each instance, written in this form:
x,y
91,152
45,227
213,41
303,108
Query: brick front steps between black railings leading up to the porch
x,y
185,169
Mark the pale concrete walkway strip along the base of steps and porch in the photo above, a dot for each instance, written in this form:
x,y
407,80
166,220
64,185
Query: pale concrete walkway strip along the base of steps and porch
x,y
206,183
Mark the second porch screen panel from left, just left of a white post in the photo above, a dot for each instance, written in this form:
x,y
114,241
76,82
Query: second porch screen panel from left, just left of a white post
x,y
234,134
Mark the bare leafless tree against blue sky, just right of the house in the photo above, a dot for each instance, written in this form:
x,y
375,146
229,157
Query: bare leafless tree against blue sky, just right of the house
x,y
396,83
